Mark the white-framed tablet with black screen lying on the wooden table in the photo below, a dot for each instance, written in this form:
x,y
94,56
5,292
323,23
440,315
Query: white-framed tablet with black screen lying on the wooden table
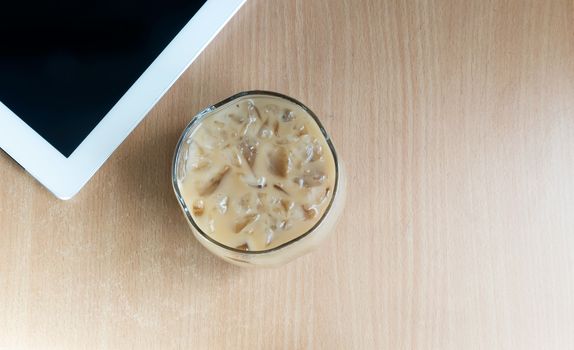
x,y
77,77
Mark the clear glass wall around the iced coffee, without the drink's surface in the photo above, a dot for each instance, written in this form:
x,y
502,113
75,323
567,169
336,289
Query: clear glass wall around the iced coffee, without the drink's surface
x,y
288,251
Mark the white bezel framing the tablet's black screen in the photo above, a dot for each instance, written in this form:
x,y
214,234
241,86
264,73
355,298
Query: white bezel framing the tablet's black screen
x,y
64,177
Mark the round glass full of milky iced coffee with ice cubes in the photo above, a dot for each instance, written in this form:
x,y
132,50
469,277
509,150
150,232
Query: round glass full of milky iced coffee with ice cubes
x,y
258,179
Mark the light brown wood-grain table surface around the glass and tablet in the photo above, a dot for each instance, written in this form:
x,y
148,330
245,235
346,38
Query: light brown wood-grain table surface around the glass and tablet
x,y
456,123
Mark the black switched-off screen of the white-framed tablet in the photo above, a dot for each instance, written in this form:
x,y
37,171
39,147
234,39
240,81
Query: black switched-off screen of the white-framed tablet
x,y
64,64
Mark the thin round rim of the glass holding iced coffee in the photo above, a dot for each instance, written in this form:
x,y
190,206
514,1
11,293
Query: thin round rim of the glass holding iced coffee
x,y
196,120
